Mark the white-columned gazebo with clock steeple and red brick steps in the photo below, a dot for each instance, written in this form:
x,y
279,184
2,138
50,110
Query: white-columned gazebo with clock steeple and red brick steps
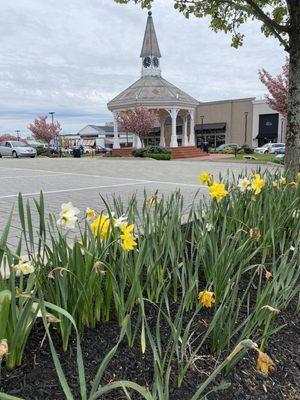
x,y
175,107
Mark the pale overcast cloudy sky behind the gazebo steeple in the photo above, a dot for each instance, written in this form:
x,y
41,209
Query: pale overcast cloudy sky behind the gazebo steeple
x,y
73,56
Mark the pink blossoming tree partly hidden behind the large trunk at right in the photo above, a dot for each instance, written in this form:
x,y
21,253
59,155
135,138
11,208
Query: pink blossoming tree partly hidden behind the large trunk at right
x,y
278,87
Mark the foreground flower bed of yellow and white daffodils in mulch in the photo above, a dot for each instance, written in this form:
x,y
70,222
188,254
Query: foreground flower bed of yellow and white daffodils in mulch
x,y
186,303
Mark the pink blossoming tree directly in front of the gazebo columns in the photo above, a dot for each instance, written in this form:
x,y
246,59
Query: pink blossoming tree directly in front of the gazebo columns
x,y
138,121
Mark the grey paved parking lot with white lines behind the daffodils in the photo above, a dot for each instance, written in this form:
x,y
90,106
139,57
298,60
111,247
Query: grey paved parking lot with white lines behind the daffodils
x,y
82,180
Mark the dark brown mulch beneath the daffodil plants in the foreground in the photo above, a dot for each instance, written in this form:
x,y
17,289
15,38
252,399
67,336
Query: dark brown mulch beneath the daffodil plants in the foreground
x,y
36,378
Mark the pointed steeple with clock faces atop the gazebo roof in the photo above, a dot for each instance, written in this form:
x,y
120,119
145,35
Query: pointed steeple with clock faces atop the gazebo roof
x,y
150,53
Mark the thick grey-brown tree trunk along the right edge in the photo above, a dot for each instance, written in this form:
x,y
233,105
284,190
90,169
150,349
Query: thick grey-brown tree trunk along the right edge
x,y
292,155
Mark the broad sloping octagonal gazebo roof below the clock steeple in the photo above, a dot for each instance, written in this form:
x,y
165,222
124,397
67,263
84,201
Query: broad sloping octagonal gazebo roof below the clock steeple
x,y
152,92
